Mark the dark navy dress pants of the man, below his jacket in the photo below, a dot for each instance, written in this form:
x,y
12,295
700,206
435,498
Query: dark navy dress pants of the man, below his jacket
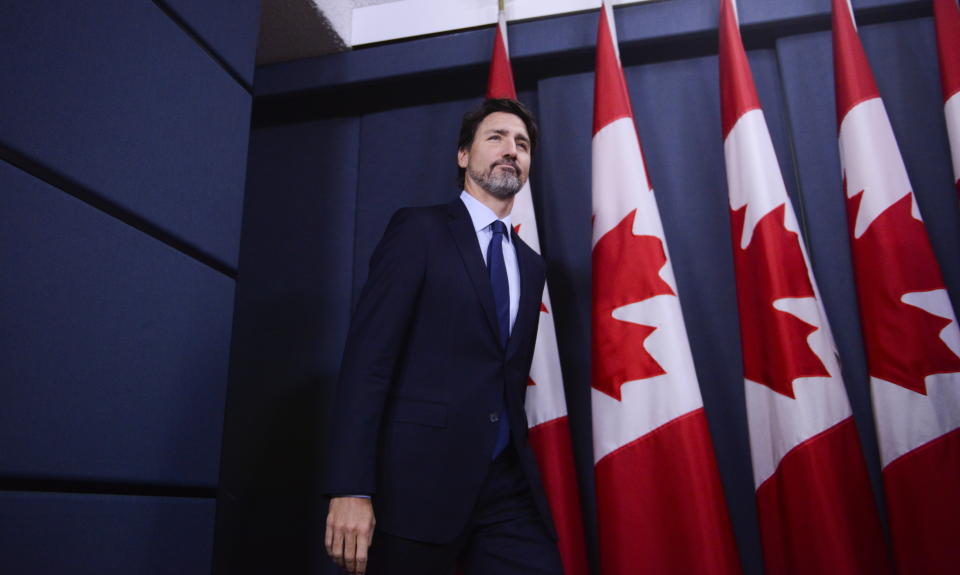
x,y
504,536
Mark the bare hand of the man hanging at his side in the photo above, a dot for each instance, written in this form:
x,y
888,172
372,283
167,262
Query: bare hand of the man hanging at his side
x,y
349,532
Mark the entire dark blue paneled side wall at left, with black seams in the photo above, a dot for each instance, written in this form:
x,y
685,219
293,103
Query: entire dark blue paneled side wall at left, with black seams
x,y
123,140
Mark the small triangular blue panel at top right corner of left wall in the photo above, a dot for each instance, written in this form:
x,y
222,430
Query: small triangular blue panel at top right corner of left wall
x,y
229,27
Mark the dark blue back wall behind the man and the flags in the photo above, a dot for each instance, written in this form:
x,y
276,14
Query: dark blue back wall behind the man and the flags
x,y
340,143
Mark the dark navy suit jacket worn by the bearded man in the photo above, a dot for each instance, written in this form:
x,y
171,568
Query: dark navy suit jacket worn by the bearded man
x,y
424,374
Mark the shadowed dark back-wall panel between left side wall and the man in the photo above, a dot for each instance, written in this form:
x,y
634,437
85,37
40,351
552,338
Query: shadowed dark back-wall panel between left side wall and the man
x,y
290,320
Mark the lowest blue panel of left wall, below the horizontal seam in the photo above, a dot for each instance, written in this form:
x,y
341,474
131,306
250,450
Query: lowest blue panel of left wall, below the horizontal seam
x,y
48,533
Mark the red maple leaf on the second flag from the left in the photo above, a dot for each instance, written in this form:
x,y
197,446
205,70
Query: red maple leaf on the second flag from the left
x,y
626,269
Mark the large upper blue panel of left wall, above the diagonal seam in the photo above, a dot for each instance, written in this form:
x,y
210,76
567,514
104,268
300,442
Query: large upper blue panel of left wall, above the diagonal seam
x,y
114,96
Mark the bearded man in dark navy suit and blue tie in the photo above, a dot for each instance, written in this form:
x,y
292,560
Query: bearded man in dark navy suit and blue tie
x,y
429,437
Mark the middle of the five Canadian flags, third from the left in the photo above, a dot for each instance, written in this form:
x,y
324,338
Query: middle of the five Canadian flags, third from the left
x,y
815,505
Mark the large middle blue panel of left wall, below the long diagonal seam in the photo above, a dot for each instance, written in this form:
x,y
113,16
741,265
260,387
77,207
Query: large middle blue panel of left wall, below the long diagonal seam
x,y
115,346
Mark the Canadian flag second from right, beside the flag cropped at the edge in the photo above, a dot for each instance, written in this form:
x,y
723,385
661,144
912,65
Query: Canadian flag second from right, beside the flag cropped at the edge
x,y
909,327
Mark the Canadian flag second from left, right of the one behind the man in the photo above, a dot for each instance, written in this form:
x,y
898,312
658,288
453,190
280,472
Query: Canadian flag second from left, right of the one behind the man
x,y
660,504
